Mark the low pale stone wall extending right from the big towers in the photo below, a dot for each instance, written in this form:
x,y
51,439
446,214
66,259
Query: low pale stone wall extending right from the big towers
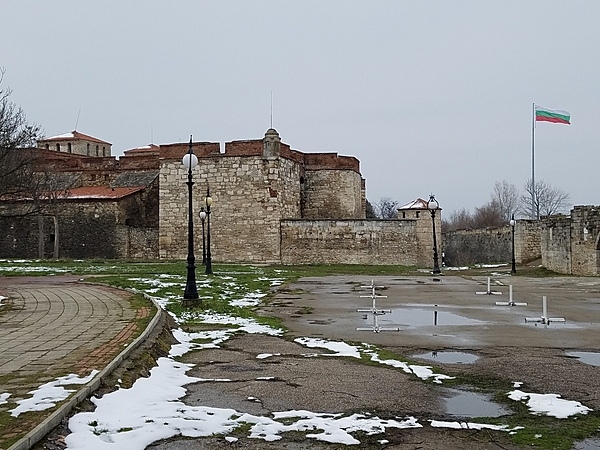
x,y
353,241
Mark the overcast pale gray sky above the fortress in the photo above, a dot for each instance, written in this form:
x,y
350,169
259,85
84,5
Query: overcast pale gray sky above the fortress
x,y
430,96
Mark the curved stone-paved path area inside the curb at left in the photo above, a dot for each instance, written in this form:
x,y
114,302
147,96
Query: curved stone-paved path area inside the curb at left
x,y
54,325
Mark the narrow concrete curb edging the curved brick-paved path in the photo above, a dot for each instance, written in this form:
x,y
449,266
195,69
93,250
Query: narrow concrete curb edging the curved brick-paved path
x,y
51,422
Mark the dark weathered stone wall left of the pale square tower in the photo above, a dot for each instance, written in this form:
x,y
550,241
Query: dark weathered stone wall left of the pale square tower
x,y
122,228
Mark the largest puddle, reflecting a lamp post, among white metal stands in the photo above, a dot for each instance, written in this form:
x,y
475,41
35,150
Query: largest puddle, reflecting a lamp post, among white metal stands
x,y
421,317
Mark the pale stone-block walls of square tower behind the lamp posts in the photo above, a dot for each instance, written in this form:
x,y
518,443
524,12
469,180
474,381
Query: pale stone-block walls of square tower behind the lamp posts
x,y
250,194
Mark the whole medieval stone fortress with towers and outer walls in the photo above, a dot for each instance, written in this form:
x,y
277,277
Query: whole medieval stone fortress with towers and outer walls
x,y
271,204
